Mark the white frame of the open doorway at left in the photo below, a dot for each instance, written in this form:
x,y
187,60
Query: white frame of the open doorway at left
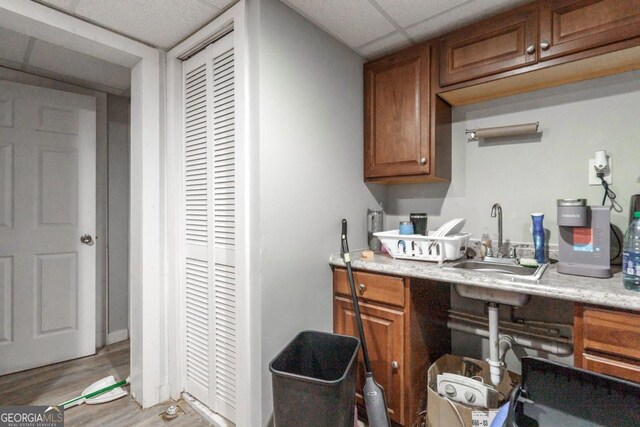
x,y
149,363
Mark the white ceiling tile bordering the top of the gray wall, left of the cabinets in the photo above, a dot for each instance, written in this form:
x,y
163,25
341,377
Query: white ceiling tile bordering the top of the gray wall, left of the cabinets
x,y
354,22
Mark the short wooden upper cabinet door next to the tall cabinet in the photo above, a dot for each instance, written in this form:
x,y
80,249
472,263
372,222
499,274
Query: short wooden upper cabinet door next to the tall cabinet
x,y
494,45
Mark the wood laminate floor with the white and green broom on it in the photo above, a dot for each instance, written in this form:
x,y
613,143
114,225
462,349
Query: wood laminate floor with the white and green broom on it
x,y
53,384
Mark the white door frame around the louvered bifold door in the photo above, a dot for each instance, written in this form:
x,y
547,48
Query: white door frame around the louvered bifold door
x,y
249,374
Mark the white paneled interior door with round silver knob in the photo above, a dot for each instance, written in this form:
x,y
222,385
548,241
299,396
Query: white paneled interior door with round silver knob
x,y
47,202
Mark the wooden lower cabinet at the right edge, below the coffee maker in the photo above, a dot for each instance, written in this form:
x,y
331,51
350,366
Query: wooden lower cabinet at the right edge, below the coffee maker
x,y
607,341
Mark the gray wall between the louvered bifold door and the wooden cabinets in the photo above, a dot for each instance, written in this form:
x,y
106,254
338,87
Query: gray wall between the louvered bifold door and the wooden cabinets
x,y
311,156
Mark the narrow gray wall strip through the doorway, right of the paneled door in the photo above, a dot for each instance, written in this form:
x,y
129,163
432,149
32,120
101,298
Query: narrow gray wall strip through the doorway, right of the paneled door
x,y
118,114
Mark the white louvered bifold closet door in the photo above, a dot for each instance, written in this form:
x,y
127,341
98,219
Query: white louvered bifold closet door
x,y
210,227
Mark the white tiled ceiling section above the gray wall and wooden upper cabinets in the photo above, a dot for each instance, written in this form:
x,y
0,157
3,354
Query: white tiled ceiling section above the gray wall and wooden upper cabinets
x,y
375,27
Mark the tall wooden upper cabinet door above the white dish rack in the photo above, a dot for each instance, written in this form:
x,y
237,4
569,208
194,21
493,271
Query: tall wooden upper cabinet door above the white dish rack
x,y
397,114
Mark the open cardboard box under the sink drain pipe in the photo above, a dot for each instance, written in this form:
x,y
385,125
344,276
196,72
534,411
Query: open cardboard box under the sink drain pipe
x,y
439,410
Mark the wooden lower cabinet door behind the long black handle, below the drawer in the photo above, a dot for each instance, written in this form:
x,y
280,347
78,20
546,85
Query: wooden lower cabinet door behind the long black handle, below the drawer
x,y
383,329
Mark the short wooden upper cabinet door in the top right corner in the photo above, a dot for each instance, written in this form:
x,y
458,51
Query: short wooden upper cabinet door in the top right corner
x,y
569,26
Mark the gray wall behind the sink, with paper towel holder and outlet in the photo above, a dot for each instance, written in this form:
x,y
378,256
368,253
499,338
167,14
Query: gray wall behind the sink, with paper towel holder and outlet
x,y
528,174
